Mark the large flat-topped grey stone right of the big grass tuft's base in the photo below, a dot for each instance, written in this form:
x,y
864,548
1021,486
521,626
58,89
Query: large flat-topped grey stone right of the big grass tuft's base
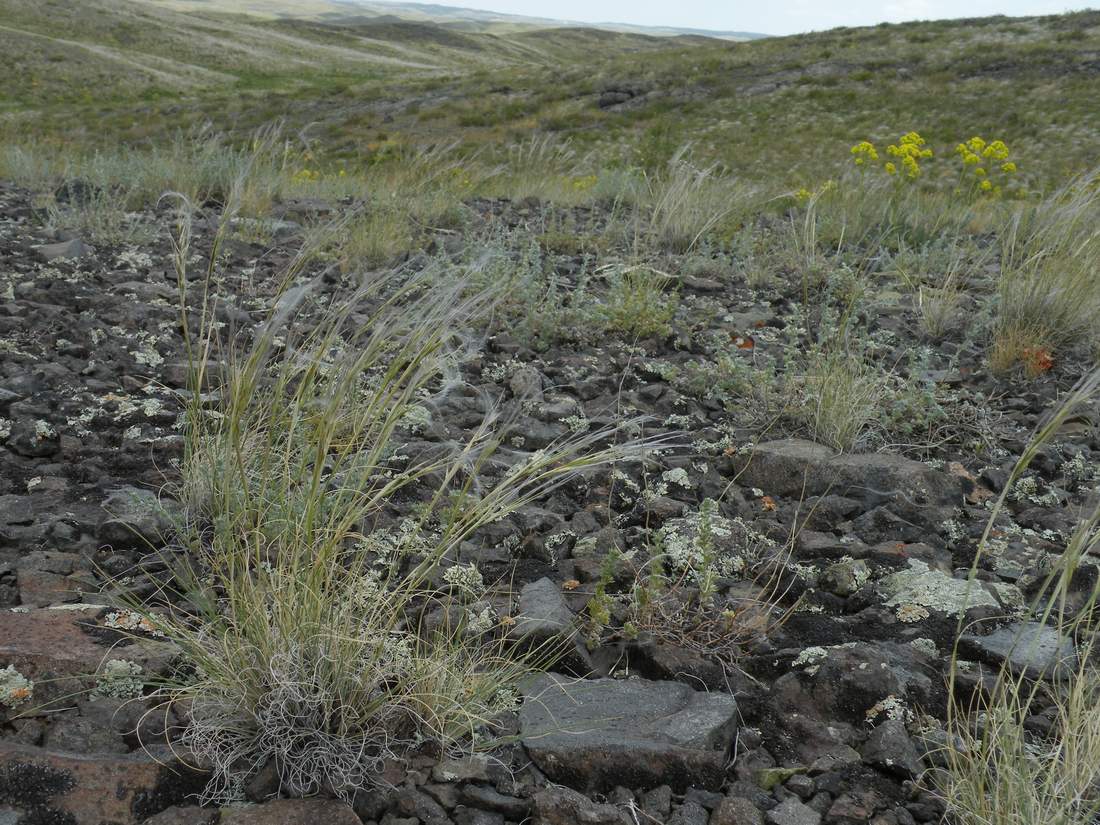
x,y
598,734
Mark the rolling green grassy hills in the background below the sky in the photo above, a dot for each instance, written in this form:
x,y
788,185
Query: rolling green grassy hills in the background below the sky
x,y
782,108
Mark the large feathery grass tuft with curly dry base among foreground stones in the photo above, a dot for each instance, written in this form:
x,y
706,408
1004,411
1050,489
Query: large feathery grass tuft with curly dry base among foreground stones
x,y
309,647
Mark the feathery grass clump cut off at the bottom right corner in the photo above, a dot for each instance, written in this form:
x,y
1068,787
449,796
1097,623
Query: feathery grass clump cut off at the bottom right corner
x,y
999,769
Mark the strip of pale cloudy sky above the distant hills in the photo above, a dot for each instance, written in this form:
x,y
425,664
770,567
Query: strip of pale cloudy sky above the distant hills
x,y
786,17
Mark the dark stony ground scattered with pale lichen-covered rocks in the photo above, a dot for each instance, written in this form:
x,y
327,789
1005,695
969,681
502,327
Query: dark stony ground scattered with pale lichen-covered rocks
x,y
827,711
